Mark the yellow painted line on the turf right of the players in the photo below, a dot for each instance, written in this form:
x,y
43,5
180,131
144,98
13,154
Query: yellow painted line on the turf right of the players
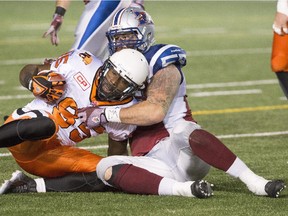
x,y
237,110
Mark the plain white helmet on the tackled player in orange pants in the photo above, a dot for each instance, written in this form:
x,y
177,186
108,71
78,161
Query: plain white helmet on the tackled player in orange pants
x,y
122,75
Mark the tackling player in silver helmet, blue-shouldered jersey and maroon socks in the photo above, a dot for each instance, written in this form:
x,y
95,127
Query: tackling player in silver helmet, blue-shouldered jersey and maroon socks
x,y
169,133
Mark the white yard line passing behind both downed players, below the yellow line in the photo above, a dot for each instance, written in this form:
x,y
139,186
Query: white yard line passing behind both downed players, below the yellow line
x,y
229,136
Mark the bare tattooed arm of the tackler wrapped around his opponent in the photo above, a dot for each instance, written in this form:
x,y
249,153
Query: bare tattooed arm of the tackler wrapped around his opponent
x,y
160,94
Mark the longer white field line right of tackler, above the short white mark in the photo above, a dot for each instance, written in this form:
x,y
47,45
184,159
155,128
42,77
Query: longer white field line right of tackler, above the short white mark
x,y
232,84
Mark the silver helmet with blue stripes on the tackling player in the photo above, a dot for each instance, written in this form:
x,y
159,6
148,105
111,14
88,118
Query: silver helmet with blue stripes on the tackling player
x,y
134,21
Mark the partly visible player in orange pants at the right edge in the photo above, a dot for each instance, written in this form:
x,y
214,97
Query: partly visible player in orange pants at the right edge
x,y
279,58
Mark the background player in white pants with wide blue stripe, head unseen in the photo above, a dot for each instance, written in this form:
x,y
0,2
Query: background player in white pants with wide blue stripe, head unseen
x,y
92,25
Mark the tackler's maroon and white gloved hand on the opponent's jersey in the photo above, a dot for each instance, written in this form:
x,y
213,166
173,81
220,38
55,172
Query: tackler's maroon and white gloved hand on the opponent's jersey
x,y
92,116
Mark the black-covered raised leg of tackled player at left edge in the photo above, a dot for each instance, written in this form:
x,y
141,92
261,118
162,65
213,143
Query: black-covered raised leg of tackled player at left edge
x,y
15,132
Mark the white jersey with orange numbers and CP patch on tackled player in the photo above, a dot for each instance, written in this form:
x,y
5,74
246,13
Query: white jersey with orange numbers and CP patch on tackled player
x,y
79,69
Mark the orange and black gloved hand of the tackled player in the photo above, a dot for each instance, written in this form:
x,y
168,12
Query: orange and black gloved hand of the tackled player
x,y
41,86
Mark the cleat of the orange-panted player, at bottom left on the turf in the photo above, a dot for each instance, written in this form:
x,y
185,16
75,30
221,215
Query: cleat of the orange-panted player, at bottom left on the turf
x,y
19,183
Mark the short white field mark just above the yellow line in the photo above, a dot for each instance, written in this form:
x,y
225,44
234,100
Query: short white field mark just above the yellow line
x,y
220,93
